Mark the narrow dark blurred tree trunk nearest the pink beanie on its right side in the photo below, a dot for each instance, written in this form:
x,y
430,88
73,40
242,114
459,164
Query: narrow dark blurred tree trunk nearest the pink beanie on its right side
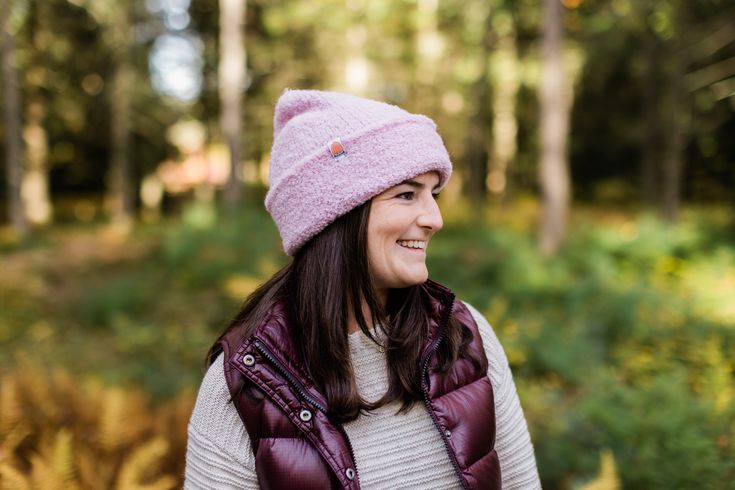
x,y
478,131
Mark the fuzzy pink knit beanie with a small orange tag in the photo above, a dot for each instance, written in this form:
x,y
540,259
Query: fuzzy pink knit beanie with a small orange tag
x,y
332,152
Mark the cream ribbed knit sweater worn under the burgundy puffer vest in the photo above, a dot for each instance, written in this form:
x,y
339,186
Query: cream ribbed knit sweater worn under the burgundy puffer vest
x,y
391,451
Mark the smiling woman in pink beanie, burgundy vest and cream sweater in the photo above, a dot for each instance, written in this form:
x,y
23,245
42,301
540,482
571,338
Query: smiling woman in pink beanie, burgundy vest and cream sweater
x,y
349,368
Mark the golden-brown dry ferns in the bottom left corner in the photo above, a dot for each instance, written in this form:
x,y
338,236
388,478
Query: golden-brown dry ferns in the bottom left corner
x,y
59,432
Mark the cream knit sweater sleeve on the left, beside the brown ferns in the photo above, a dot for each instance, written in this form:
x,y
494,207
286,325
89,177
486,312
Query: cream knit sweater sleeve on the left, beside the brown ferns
x,y
218,454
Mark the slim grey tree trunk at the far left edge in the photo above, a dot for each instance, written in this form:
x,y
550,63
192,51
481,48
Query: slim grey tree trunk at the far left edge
x,y
13,147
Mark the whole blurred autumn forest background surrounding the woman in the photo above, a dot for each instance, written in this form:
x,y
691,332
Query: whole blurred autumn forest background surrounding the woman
x,y
590,217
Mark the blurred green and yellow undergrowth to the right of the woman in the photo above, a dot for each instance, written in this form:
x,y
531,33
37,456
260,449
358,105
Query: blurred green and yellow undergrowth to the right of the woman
x,y
621,342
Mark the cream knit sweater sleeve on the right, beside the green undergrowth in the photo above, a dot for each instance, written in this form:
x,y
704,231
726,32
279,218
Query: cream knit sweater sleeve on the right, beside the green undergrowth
x,y
512,440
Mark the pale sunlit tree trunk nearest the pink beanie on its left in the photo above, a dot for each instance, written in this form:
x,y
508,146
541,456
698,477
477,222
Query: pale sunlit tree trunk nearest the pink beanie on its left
x,y
231,82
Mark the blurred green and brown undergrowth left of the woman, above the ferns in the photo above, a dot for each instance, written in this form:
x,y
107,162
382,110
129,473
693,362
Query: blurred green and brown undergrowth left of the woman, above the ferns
x,y
145,309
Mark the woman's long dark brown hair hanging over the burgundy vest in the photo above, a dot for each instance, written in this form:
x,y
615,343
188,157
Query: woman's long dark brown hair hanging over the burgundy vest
x,y
329,277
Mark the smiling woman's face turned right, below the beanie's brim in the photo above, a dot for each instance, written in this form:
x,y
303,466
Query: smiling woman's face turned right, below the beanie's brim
x,y
402,221
